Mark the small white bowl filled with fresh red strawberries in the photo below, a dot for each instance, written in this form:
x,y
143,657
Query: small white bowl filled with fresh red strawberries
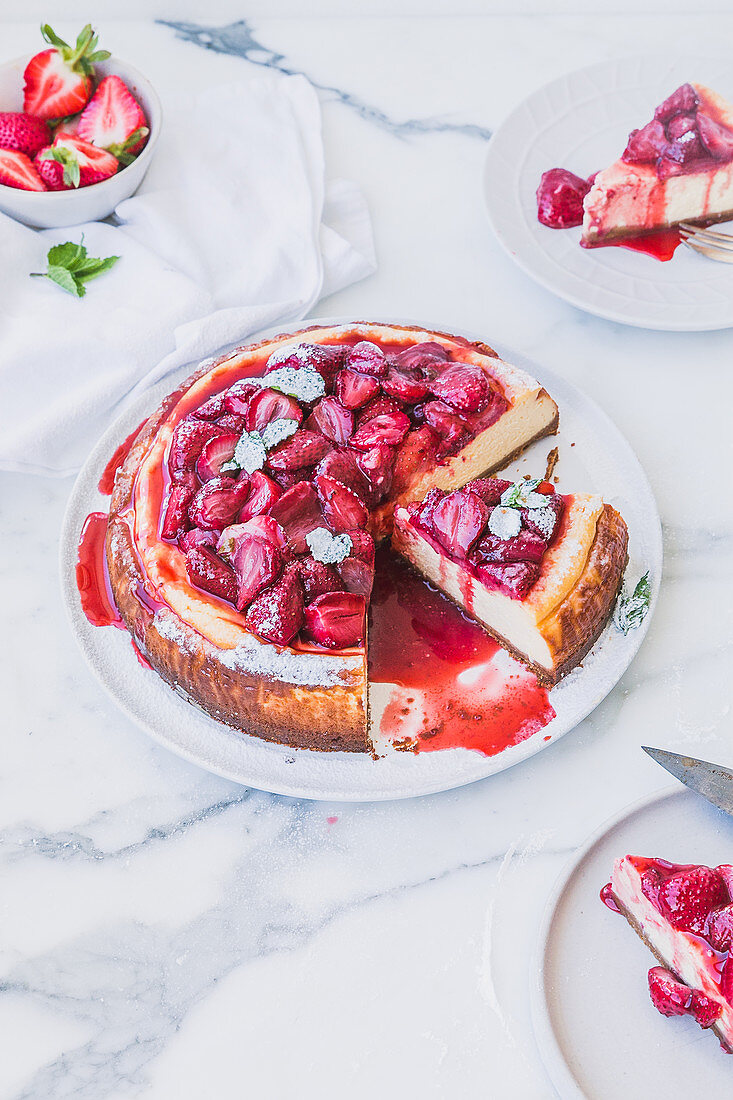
x,y
78,133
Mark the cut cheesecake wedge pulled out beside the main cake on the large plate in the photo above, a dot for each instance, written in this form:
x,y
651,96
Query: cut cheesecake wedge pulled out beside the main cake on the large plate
x,y
540,571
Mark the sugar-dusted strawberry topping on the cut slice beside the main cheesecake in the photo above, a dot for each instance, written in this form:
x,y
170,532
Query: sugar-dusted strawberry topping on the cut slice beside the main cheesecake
x,y
497,531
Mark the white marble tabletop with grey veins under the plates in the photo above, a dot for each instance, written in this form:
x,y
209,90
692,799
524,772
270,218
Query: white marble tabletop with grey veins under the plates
x,y
166,933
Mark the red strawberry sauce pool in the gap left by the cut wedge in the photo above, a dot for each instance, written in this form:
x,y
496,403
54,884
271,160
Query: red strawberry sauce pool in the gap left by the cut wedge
x,y
472,696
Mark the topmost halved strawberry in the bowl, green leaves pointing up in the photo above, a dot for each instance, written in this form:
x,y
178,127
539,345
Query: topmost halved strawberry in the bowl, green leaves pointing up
x,y
59,82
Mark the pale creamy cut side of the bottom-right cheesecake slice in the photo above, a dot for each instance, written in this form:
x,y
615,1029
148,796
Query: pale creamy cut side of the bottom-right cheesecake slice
x,y
690,956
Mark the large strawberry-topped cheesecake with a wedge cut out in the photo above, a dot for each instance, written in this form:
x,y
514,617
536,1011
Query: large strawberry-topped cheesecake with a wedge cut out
x,y
244,522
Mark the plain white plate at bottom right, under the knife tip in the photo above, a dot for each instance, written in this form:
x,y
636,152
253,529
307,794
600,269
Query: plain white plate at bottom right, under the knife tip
x,y
598,1032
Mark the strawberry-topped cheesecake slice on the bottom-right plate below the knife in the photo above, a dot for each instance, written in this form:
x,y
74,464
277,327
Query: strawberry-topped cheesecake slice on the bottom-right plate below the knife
x,y
685,916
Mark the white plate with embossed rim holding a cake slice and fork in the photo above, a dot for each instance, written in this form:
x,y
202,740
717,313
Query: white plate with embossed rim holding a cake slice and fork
x,y
582,123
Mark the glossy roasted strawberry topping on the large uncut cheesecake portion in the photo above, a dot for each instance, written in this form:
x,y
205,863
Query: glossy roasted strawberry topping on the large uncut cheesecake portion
x,y
273,479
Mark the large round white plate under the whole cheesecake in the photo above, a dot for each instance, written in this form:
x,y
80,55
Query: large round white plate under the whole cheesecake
x,y
600,461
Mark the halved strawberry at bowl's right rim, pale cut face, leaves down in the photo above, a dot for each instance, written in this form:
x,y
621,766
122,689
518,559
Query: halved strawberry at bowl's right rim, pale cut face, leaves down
x,y
115,120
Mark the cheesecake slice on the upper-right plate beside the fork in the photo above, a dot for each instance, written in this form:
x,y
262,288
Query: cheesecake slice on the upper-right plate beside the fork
x,y
679,168
